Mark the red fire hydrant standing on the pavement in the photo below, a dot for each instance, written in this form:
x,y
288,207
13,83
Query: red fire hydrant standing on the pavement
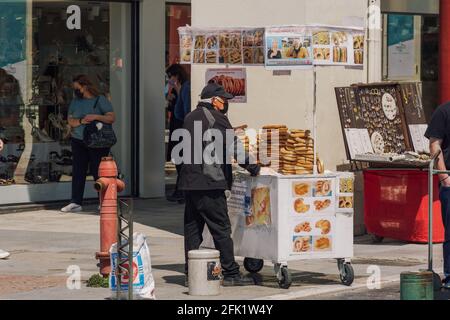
x,y
108,186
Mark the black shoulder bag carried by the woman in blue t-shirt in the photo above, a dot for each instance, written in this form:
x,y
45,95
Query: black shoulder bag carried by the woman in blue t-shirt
x,y
99,135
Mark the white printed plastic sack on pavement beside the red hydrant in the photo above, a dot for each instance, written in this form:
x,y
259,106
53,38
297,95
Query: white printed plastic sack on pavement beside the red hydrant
x,y
143,282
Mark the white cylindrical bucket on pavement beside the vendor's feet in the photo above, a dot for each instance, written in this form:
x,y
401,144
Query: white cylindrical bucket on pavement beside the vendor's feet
x,y
204,272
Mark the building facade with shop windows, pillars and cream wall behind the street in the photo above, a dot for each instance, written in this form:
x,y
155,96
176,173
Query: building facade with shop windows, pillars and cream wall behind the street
x,y
126,46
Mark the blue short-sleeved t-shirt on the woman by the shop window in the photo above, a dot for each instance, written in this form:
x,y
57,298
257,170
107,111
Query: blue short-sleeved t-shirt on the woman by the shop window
x,y
79,108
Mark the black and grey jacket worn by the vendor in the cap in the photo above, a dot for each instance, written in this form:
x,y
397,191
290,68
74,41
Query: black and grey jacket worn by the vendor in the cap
x,y
192,177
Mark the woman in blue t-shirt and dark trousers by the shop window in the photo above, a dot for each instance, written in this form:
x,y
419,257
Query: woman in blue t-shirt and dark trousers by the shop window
x,y
88,105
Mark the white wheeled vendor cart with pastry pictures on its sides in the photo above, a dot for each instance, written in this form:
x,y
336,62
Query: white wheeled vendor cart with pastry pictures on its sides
x,y
292,218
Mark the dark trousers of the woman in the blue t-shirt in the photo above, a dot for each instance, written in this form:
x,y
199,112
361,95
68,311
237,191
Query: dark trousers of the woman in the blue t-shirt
x,y
82,158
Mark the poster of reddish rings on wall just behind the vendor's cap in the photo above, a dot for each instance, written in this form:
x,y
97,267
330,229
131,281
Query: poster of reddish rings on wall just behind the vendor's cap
x,y
234,81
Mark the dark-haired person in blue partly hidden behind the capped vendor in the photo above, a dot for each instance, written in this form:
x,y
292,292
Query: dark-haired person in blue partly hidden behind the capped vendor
x,y
180,106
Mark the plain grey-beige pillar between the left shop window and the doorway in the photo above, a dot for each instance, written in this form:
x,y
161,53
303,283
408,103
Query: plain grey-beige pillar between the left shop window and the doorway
x,y
152,111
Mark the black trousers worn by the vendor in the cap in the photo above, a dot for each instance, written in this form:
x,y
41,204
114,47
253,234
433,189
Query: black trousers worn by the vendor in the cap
x,y
210,208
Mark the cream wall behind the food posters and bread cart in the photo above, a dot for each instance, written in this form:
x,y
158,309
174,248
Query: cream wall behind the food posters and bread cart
x,y
286,99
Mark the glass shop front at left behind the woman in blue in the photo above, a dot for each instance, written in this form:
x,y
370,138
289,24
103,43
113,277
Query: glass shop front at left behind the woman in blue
x,y
63,39
